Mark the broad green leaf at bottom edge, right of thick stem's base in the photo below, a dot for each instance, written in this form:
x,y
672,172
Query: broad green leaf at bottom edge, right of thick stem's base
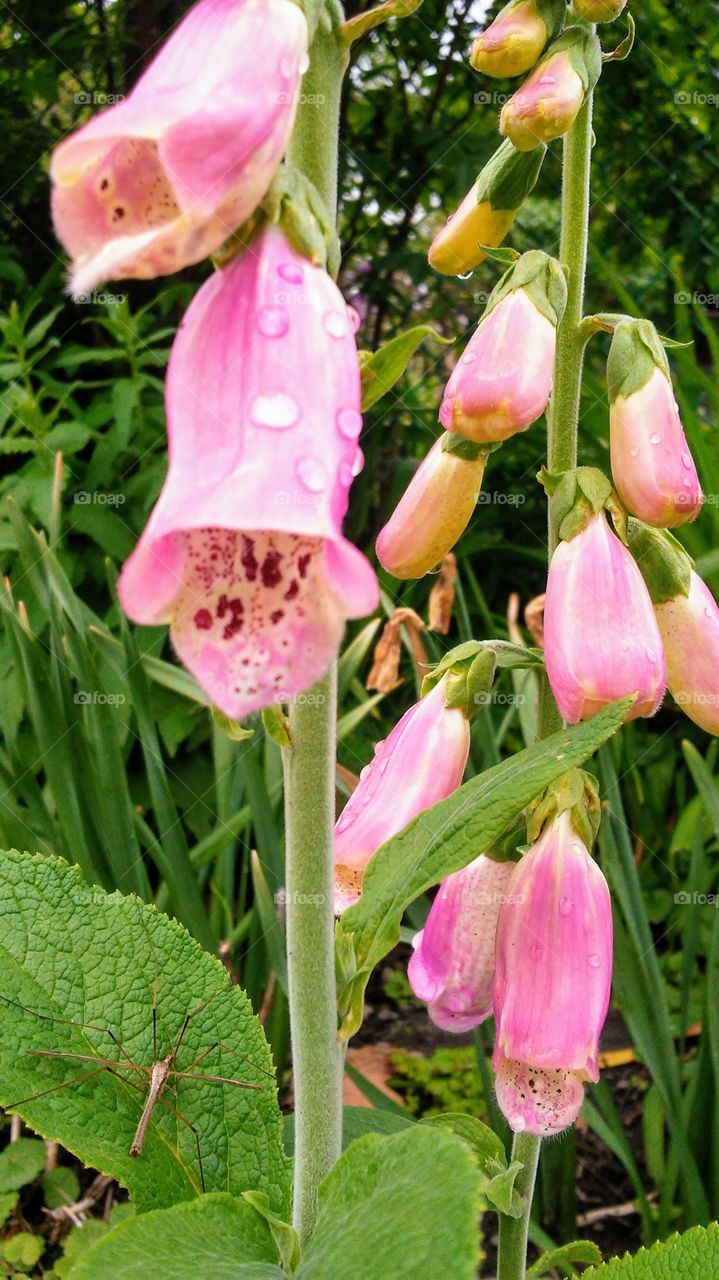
x,y
399,1209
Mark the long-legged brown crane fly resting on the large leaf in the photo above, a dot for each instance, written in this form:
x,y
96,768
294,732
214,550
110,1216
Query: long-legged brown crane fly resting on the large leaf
x,y
157,1077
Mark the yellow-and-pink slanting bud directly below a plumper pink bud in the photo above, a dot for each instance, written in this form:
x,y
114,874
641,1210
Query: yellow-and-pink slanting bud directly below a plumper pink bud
x,y
433,513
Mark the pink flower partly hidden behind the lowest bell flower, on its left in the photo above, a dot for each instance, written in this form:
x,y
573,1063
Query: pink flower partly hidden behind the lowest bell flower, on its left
x,y
452,968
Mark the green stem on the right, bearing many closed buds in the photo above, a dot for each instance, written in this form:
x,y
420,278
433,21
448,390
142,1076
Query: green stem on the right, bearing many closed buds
x,y
564,419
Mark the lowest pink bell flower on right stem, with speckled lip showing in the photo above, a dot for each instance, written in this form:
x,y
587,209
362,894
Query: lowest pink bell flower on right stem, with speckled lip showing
x,y
552,982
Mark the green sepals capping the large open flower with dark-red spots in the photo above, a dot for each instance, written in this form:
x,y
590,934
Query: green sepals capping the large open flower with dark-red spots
x,y
295,204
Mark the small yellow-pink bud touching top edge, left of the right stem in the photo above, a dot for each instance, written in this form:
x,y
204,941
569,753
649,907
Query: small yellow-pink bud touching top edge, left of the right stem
x,y
512,44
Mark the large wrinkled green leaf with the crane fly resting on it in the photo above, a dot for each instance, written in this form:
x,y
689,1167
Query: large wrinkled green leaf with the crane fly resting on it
x,y
71,952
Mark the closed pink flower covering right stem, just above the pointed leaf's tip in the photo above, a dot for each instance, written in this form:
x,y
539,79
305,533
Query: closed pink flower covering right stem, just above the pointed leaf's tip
x,y
601,636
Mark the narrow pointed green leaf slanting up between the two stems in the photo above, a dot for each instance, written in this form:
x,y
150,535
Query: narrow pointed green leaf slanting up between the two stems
x,y
447,838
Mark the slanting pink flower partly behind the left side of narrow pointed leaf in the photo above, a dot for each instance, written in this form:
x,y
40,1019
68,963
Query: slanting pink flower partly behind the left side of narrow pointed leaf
x,y
422,762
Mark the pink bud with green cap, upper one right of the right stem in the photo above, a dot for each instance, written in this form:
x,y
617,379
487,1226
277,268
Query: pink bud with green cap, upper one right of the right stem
x,y
652,465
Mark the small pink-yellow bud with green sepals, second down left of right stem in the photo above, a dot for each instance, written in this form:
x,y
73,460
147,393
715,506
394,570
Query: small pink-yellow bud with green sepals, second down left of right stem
x,y
548,103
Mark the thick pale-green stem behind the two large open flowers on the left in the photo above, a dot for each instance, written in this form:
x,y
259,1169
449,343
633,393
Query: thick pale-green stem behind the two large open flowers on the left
x,y
310,765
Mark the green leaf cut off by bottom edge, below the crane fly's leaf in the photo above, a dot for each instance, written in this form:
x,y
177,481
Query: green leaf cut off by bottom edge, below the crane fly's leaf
x,y
213,1238
